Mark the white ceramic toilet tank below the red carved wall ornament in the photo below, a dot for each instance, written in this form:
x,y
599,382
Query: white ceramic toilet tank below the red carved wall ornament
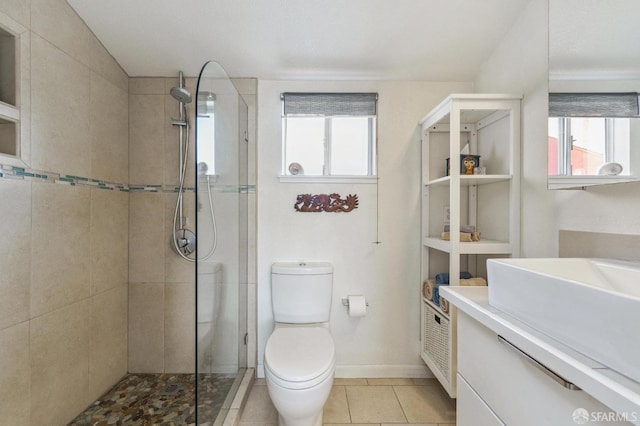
x,y
301,291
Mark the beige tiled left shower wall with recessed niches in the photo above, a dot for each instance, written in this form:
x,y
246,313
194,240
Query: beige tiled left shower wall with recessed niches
x,y
64,246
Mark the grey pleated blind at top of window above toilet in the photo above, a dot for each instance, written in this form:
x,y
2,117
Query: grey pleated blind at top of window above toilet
x,y
329,104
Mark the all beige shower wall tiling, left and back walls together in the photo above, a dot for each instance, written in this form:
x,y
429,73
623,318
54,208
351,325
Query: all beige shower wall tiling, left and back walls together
x,y
89,287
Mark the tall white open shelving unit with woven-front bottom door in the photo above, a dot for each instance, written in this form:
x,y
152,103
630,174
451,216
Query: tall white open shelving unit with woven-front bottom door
x,y
490,125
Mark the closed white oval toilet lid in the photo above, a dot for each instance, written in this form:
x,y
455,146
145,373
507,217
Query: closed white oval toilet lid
x,y
299,354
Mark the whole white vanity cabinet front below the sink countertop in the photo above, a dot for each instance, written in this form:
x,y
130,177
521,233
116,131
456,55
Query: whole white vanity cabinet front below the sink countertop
x,y
498,385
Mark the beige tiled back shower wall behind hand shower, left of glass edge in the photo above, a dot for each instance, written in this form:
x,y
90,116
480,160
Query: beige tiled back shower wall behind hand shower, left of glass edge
x,y
161,284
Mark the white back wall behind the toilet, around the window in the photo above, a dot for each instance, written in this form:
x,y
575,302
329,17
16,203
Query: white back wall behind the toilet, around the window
x,y
385,342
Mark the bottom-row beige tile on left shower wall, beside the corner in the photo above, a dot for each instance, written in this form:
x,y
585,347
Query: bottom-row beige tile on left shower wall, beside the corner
x,y
108,344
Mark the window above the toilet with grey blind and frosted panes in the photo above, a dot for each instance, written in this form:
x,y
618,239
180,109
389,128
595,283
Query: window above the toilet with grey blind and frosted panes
x,y
329,134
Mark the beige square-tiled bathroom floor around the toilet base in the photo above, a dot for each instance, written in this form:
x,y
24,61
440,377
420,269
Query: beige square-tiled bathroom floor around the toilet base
x,y
366,402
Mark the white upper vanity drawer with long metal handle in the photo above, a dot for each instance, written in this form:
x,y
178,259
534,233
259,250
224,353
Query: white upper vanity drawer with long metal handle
x,y
517,391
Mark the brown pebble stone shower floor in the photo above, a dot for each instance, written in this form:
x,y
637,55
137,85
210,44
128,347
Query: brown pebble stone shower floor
x,y
158,399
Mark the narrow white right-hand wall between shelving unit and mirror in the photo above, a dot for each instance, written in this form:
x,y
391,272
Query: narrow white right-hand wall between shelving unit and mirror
x,y
519,65
